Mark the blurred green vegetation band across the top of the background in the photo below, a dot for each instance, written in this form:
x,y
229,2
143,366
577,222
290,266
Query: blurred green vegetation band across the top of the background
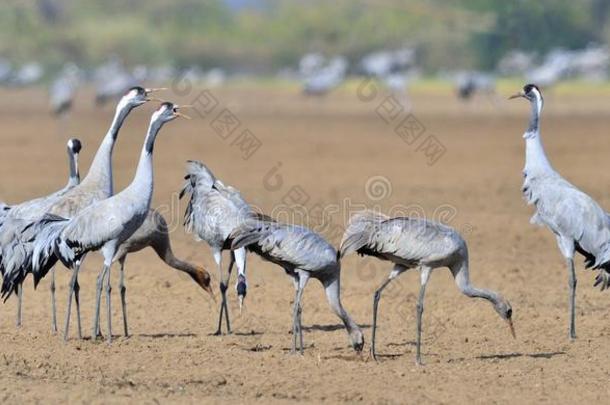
x,y
269,34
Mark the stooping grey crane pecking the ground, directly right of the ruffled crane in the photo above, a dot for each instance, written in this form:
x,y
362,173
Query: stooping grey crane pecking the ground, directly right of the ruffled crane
x,y
302,254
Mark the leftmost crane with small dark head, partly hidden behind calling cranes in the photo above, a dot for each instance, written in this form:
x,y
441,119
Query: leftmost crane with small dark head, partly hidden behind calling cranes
x,y
16,216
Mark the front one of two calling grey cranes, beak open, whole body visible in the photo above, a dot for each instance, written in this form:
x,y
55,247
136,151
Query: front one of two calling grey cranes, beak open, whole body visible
x,y
104,224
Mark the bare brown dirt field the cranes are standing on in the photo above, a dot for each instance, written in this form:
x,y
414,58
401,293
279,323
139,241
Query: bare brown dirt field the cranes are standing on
x,y
326,152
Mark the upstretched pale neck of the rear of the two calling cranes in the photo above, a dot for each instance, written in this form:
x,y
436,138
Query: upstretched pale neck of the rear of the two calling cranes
x,y
100,172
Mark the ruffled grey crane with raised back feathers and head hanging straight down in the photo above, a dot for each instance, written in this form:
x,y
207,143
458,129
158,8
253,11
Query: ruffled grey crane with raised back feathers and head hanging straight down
x,y
213,212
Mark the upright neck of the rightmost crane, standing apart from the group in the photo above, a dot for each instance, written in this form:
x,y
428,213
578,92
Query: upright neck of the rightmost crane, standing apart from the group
x,y
536,161
